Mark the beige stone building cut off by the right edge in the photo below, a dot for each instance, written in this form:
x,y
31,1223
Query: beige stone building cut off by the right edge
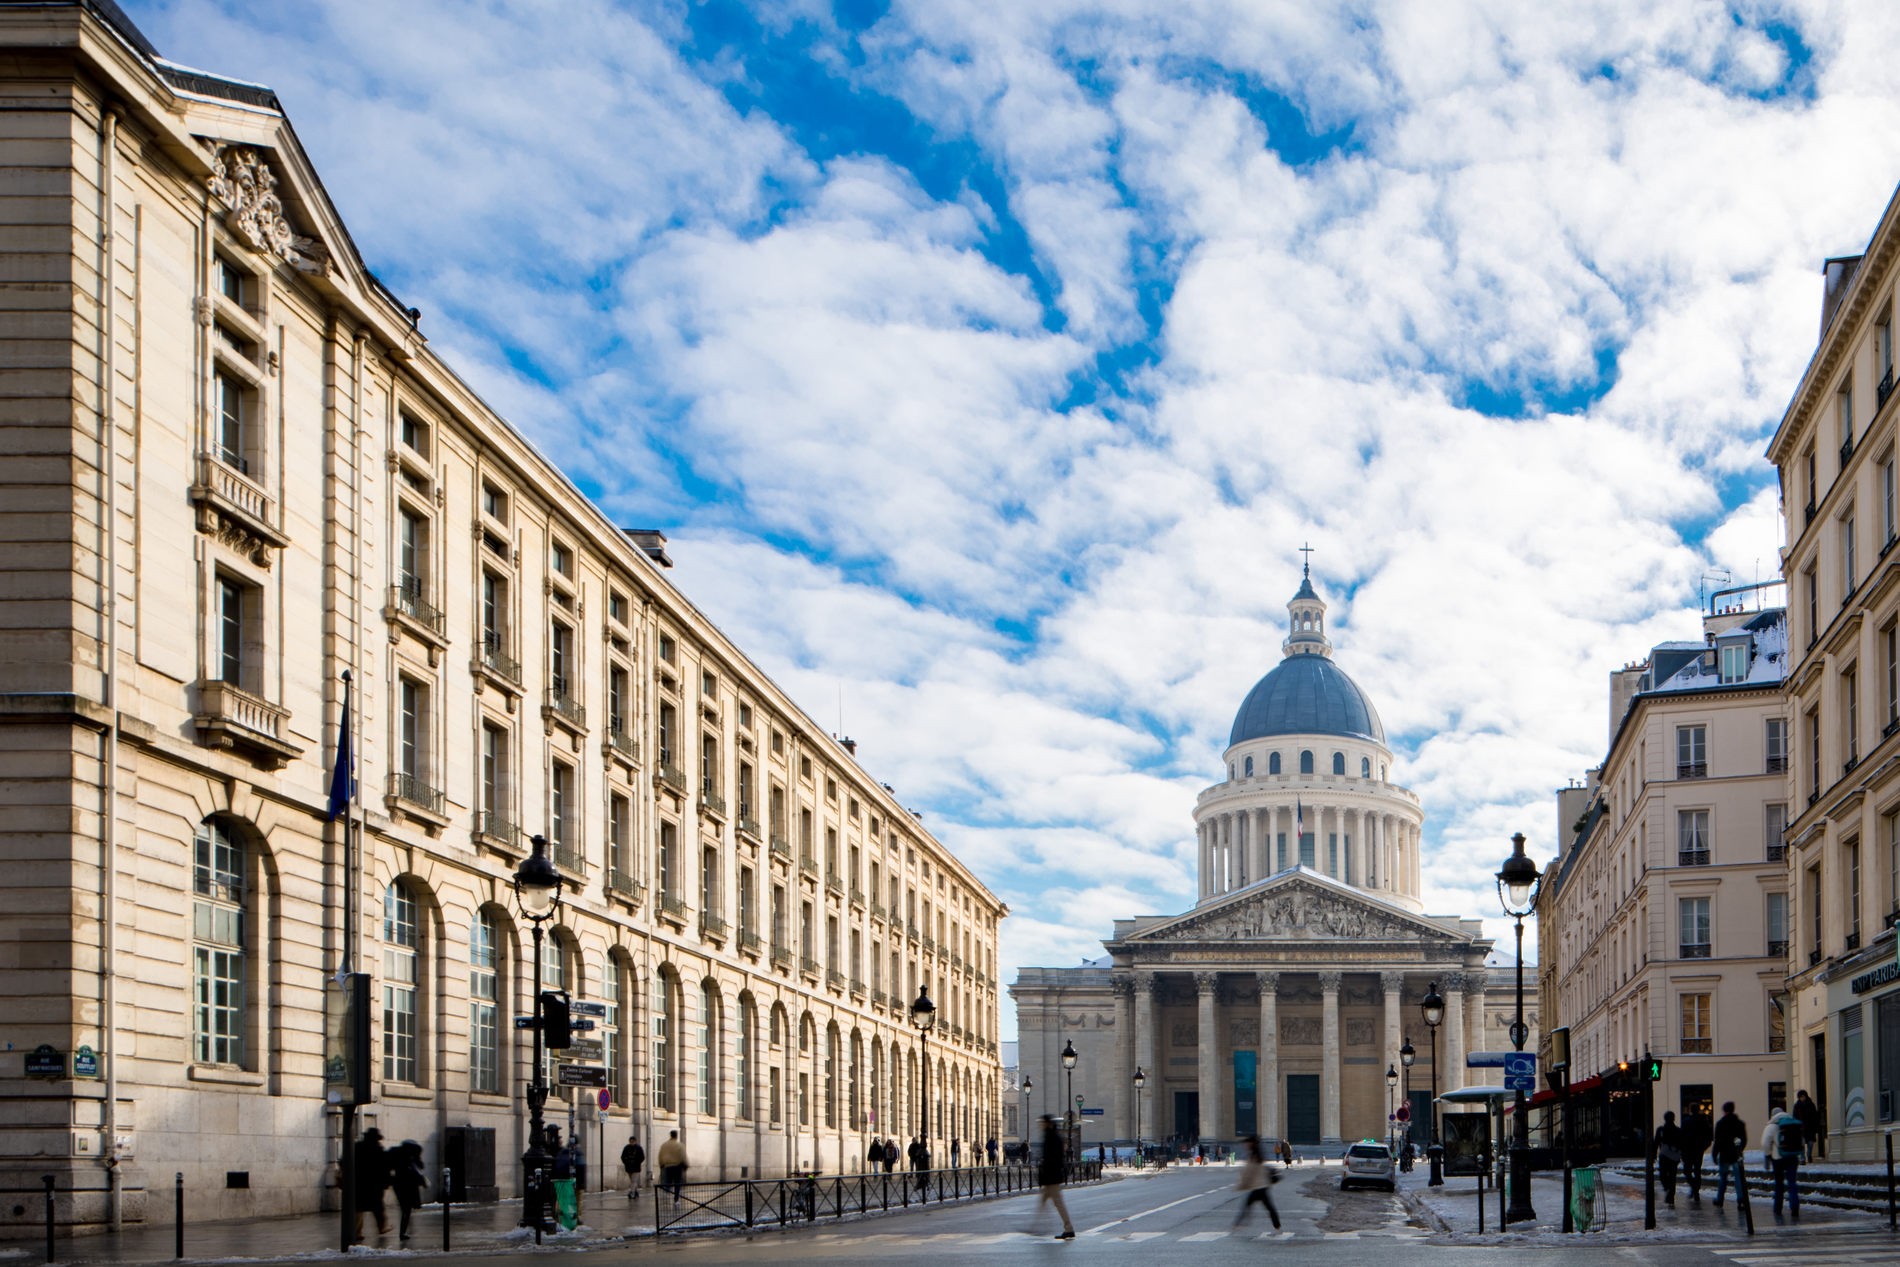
x,y
1834,455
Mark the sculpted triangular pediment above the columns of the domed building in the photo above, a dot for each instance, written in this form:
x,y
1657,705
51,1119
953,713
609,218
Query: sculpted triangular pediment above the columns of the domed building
x,y
1302,907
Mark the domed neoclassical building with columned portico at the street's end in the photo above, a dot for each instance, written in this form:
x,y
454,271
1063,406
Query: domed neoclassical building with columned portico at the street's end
x,y
1280,1002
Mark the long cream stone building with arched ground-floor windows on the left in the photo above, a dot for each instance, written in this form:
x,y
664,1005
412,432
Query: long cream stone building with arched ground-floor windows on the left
x,y
235,470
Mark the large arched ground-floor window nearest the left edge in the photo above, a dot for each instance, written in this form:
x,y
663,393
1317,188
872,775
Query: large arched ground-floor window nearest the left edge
x,y
219,960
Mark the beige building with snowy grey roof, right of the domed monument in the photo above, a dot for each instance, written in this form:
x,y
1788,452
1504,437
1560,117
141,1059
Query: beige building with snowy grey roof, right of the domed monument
x,y
1665,918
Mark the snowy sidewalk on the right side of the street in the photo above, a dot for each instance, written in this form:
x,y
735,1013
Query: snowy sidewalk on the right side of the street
x,y
1620,1211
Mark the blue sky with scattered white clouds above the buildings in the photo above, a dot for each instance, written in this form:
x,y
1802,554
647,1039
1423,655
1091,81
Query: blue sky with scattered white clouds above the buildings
x,y
989,362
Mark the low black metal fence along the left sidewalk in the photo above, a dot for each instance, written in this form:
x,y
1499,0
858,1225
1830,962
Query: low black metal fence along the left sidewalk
x,y
816,1198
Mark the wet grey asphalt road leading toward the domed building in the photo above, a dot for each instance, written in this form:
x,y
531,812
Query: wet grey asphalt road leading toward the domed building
x,y
1188,1217
